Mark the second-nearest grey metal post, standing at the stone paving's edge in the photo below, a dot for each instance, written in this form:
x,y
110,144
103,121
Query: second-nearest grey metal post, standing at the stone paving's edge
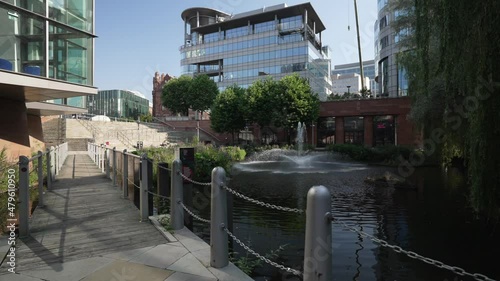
x,y
219,255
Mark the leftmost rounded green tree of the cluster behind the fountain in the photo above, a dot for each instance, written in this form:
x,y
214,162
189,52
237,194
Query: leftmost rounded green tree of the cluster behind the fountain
x,y
229,111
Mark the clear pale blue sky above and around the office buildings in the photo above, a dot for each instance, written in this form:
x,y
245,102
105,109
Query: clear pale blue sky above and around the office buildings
x,y
136,38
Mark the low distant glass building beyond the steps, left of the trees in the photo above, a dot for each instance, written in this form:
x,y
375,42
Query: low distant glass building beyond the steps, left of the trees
x,y
118,103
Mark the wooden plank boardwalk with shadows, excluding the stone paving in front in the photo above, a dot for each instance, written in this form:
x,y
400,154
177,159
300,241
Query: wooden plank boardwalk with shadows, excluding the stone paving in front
x,y
84,216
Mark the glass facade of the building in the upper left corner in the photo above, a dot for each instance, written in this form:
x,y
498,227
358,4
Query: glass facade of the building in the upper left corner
x,y
49,38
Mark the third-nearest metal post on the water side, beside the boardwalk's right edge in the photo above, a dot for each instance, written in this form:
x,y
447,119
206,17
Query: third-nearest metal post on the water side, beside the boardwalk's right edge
x,y
176,196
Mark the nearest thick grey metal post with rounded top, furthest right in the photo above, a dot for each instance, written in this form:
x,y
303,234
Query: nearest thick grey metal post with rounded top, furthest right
x,y
318,240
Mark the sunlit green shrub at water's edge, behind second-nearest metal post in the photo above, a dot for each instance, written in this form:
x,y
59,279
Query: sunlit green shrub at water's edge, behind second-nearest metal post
x,y
209,157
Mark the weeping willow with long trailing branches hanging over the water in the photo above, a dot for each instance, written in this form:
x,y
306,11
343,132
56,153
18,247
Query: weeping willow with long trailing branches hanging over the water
x,y
451,51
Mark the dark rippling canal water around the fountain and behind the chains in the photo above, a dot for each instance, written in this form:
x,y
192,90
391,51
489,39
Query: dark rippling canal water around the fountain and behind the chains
x,y
433,220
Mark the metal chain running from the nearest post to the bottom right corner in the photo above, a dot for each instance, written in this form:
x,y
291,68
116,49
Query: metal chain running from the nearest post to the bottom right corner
x,y
455,269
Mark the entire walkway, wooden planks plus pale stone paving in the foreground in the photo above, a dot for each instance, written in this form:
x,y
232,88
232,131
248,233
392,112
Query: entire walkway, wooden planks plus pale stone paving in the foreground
x,y
87,231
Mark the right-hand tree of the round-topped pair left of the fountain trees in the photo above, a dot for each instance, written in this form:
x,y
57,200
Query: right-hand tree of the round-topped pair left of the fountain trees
x,y
202,93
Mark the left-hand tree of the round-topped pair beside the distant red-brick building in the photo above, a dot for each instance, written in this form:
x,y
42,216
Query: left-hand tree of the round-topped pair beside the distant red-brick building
x,y
175,95
